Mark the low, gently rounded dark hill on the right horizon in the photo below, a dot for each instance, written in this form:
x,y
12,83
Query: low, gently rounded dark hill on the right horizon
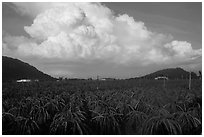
x,y
171,73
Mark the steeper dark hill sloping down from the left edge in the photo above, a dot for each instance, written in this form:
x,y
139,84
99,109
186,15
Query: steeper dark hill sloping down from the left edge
x,y
14,69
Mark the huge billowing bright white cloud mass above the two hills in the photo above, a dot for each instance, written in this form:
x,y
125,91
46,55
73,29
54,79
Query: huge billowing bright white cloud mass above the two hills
x,y
88,32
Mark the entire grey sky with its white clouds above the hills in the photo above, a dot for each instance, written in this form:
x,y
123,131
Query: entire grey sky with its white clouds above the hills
x,y
119,40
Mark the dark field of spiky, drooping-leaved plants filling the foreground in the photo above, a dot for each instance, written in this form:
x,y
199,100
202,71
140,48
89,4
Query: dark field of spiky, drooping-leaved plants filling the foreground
x,y
126,107
